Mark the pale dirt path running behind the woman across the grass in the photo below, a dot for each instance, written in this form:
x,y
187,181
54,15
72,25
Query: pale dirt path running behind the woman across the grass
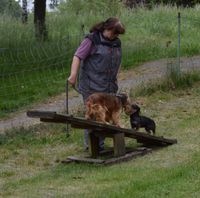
x,y
150,71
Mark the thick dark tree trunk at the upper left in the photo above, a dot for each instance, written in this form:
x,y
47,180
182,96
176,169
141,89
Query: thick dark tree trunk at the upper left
x,y
39,19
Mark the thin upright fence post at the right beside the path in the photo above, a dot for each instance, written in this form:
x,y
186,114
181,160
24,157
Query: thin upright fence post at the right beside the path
x,y
179,45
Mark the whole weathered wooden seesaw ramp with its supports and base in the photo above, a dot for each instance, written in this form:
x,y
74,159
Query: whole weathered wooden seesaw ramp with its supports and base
x,y
105,130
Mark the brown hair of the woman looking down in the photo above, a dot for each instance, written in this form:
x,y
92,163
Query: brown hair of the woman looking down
x,y
110,24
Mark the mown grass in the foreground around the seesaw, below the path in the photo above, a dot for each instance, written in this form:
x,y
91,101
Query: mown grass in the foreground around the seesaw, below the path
x,y
29,158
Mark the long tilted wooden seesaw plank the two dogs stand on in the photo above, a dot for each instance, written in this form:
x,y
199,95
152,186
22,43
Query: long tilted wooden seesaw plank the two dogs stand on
x,y
76,122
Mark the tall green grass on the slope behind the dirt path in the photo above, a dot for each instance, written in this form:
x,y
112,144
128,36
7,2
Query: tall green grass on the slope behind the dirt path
x,y
32,71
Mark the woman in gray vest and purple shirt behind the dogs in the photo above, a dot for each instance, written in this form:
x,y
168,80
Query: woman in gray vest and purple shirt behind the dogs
x,y
99,59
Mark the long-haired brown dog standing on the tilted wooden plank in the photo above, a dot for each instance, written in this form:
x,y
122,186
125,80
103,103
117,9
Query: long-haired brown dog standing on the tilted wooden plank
x,y
106,108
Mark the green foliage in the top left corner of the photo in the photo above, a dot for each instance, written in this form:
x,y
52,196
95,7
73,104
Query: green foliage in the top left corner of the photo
x,y
10,7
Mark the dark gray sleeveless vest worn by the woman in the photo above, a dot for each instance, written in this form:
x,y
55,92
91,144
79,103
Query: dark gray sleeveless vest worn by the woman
x,y
98,72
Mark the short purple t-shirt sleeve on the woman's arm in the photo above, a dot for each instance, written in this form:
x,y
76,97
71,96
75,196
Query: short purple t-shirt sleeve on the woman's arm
x,y
86,48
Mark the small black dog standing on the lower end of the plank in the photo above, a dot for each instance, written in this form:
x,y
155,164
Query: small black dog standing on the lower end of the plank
x,y
138,121
